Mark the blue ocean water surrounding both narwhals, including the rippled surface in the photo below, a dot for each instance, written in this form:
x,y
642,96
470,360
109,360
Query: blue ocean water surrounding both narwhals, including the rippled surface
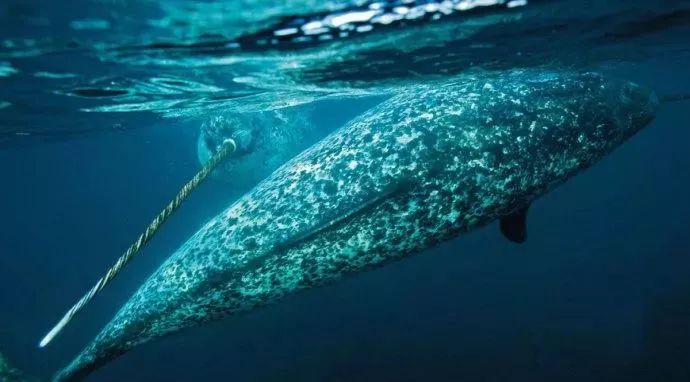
x,y
101,108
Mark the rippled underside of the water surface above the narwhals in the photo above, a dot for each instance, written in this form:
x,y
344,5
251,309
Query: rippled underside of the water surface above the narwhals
x,y
181,59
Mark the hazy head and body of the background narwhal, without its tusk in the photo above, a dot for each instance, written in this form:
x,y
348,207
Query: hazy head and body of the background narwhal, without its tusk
x,y
265,140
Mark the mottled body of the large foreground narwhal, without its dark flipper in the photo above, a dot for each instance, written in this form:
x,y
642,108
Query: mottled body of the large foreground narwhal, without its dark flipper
x,y
425,166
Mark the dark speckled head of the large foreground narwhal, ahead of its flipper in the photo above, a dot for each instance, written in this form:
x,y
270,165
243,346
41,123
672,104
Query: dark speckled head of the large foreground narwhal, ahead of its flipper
x,y
571,121
